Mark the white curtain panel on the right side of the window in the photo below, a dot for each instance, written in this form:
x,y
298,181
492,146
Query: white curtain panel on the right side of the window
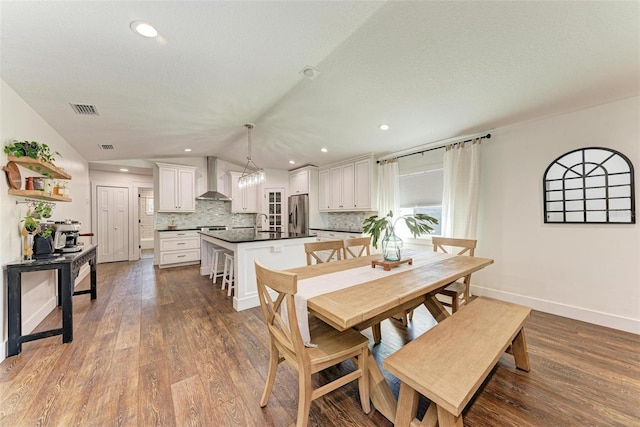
x,y
461,167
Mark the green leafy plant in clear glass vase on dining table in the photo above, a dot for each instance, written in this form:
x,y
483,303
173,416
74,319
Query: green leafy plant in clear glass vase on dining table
x,y
375,226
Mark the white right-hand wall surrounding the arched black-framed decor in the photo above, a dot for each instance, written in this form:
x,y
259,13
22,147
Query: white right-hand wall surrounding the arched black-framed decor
x,y
589,272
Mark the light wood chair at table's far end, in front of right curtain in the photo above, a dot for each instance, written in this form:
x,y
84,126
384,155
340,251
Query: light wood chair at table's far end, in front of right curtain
x,y
457,292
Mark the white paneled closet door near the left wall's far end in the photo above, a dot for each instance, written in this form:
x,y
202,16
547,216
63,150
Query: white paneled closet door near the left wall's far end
x,y
113,223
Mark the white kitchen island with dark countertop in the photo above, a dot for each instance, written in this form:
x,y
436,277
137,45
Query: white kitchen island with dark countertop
x,y
278,250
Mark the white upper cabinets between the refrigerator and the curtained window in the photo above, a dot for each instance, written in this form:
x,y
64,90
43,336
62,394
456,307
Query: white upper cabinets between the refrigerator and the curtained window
x,y
348,186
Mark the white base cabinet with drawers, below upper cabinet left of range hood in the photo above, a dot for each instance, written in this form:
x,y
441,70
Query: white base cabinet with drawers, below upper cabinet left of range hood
x,y
179,248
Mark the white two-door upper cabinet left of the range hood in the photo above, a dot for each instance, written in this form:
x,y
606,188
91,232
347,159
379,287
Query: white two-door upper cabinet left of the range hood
x,y
176,188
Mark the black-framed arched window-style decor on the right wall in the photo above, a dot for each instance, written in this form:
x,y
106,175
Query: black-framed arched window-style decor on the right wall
x,y
590,185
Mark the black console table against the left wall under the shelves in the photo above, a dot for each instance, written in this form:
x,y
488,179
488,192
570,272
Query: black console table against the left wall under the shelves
x,y
68,266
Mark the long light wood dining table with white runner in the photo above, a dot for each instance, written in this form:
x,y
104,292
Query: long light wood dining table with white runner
x,y
358,293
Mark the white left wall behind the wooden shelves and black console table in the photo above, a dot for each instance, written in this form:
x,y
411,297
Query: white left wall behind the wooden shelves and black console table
x,y
19,122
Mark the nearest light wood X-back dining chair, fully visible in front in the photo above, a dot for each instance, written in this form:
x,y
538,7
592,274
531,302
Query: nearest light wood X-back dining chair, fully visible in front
x,y
332,346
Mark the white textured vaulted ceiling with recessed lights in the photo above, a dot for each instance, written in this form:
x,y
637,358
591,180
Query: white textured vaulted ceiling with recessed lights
x,y
431,70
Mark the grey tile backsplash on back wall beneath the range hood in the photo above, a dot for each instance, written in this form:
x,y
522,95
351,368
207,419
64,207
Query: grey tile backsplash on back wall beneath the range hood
x,y
208,212
